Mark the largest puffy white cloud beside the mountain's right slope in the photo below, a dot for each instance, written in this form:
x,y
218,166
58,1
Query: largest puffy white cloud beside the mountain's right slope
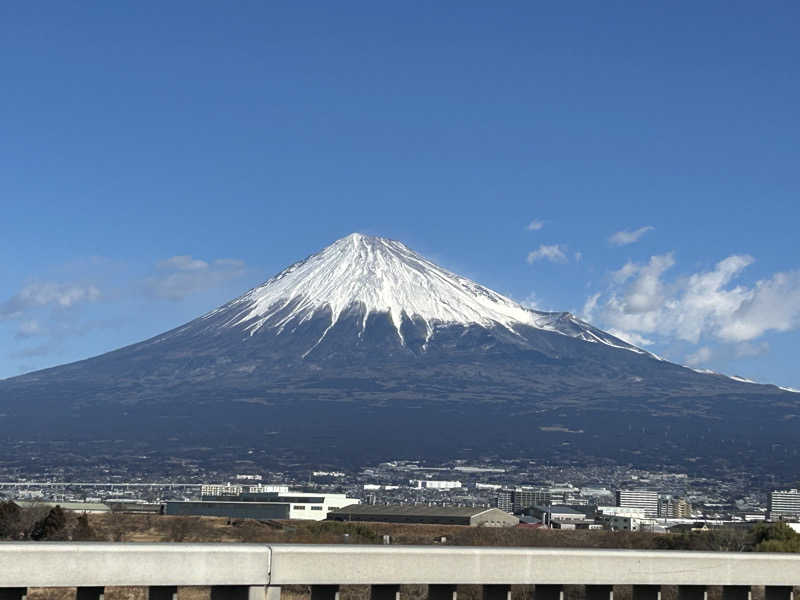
x,y
706,304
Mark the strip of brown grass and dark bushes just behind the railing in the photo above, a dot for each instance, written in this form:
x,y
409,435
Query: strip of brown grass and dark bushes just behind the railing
x,y
53,524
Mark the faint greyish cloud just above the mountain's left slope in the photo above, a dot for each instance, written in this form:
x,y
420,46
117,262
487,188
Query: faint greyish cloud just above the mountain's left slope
x,y
181,276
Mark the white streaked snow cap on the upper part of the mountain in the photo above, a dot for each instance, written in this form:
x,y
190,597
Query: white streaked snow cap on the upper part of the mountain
x,y
379,275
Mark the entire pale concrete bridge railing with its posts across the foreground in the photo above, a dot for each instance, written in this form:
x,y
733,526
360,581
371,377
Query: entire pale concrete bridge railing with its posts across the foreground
x,y
257,571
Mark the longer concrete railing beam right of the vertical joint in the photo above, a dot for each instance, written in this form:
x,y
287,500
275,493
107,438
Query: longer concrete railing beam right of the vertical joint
x,y
311,564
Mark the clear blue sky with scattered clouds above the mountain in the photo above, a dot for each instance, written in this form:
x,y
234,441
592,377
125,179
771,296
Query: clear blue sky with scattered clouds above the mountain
x,y
157,160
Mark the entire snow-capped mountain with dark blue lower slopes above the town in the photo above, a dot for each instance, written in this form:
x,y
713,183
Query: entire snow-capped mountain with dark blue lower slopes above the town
x,y
368,351
